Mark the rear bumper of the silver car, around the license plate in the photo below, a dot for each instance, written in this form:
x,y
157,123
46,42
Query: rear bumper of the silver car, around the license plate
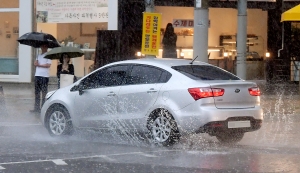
x,y
209,117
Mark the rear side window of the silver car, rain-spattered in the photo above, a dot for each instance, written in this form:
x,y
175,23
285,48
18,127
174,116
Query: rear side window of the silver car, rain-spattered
x,y
141,74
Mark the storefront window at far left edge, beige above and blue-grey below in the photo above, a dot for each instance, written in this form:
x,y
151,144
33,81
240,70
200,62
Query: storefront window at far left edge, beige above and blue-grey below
x,y
9,33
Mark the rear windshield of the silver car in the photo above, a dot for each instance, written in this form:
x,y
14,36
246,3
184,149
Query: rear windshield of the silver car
x,y
205,72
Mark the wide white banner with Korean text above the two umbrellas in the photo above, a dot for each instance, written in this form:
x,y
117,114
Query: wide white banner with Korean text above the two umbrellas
x,y
71,11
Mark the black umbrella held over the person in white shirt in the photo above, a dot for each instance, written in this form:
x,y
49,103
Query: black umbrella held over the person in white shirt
x,y
36,39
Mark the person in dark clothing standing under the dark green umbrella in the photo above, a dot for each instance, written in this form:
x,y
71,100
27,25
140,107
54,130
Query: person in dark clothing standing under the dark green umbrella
x,y
65,67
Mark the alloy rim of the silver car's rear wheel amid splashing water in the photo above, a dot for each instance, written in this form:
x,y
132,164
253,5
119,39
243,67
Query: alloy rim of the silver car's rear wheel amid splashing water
x,y
161,129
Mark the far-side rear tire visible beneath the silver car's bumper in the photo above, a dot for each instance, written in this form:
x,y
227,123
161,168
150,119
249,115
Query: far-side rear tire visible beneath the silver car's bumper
x,y
230,137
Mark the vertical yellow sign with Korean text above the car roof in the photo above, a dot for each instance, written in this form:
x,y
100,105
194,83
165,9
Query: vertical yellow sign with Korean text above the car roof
x,y
151,33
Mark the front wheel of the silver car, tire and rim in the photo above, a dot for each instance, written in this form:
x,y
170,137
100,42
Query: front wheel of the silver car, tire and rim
x,y
58,122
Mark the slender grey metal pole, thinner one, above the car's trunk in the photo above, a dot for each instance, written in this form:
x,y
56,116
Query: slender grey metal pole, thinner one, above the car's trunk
x,y
241,66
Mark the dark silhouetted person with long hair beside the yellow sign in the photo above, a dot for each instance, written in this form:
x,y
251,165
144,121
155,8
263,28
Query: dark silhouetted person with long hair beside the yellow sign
x,y
169,42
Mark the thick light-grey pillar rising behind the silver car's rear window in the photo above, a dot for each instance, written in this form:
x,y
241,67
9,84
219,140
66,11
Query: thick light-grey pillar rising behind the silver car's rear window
x,y
201,24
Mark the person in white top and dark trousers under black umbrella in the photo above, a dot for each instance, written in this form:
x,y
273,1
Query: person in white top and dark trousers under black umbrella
x,y
41,78
